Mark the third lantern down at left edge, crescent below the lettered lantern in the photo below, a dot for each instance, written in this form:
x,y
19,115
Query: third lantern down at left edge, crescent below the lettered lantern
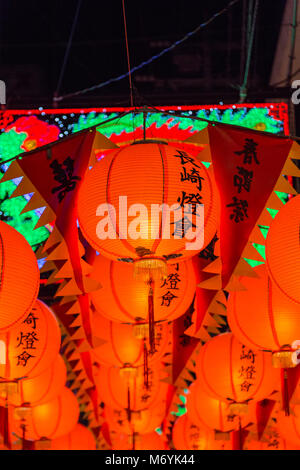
x,y
40,389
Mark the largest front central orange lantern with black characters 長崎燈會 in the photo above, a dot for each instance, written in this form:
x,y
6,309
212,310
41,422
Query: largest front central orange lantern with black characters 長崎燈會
x,y
147,174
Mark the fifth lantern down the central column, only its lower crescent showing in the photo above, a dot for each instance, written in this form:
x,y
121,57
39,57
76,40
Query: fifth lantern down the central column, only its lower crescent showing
x,y
142,422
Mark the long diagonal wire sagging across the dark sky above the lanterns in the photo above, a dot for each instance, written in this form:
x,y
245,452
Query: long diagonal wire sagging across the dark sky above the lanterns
x,y
153,58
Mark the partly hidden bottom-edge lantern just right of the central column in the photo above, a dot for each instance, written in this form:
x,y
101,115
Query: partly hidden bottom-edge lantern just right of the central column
x,y
189,436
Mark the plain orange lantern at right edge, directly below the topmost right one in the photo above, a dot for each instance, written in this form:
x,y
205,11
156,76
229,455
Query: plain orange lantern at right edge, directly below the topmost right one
x,y
262,316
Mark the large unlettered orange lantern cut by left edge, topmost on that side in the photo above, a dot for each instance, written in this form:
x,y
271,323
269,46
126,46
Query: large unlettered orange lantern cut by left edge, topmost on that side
x,y
19,276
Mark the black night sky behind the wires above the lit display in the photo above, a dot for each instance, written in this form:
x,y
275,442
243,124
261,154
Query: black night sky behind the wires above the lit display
x,y
207,68
